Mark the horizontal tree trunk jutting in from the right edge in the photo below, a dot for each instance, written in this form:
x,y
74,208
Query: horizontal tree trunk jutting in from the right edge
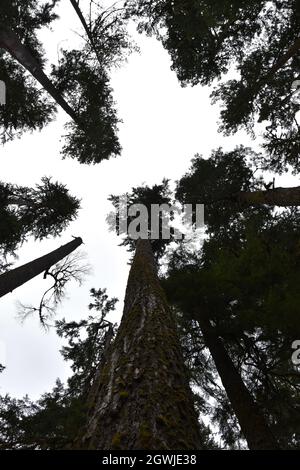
x,y
273,197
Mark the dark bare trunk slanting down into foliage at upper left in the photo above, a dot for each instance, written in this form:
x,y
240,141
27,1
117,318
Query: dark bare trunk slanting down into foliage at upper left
x,y
12,44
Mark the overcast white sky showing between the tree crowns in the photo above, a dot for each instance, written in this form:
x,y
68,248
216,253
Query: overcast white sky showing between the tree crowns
x,y
163,127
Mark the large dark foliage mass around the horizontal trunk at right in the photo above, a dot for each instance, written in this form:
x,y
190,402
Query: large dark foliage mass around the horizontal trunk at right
x,y
246,280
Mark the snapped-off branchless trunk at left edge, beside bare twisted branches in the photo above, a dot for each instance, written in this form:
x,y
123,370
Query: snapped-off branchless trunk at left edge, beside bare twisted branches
x,y
18,276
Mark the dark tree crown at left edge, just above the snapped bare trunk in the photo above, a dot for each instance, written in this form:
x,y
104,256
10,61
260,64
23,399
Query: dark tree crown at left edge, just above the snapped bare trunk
x,y
42,211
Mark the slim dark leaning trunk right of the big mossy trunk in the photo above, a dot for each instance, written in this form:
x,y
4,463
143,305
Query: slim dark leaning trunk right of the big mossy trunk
x,y
250,418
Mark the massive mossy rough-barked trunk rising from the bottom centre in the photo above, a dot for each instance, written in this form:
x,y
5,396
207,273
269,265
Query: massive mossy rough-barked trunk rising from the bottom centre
x,y
142,399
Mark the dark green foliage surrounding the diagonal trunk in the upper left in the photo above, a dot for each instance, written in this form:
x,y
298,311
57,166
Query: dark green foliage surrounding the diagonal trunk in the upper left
x,y
79,83
